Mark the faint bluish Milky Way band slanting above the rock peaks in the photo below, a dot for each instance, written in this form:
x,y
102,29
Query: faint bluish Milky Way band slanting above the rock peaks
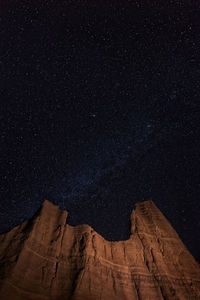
x,y
96,160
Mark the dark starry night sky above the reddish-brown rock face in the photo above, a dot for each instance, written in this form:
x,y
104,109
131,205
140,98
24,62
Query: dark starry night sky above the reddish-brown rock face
x,y
100,109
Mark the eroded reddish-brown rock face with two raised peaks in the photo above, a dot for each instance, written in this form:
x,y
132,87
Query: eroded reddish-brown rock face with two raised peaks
x,y
44,258
